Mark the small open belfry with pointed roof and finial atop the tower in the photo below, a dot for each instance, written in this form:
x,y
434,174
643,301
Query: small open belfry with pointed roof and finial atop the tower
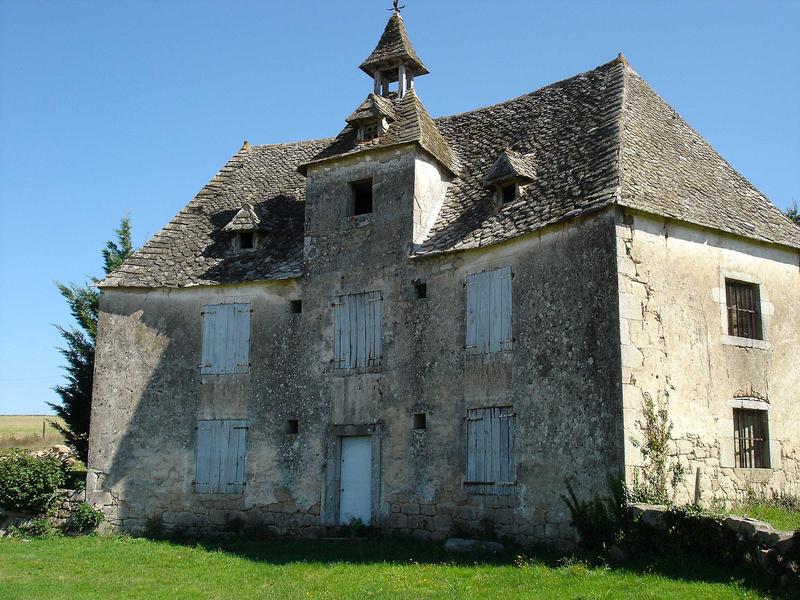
x,y
394,59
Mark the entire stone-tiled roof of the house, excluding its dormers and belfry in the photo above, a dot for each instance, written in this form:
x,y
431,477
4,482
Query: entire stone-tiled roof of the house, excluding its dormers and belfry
x,y
598,138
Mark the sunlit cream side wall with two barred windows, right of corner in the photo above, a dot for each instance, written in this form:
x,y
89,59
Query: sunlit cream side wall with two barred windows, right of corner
x,y
675,349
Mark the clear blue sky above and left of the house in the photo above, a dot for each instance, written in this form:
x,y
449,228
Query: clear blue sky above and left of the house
x,y
108,108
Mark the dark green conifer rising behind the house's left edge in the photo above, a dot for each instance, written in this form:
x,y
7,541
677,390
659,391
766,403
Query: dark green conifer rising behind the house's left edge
x,y
76,394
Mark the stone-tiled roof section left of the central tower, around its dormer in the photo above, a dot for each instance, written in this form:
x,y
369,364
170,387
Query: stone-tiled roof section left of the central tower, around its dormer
x,y
194,250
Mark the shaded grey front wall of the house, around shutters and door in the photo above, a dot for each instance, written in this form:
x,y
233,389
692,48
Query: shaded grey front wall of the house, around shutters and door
x,y
562,378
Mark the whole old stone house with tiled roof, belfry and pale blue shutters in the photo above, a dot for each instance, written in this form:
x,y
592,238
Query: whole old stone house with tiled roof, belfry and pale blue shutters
x,y
427,325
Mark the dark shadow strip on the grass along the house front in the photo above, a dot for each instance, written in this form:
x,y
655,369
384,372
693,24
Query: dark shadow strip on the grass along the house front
x,y
400,551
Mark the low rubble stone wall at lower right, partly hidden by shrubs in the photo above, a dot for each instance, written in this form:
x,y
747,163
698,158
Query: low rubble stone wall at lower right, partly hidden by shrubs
x,y
776,553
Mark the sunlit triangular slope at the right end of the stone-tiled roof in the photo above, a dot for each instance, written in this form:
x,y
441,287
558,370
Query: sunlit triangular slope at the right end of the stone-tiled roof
x,y
667,168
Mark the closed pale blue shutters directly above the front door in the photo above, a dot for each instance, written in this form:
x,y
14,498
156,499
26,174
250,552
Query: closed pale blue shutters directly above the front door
x,y
357,330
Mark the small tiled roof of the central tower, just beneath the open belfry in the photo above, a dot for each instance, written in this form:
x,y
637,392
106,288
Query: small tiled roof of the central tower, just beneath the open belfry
x,y
412,125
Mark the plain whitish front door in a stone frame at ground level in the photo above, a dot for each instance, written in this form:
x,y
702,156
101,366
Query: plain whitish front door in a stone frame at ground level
x,y
355,494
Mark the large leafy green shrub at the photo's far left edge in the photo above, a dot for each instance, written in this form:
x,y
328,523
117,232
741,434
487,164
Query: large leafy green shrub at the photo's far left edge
x,y
28,481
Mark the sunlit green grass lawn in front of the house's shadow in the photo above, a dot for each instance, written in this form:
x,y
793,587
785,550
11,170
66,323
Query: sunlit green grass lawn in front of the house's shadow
x,y
119,567
